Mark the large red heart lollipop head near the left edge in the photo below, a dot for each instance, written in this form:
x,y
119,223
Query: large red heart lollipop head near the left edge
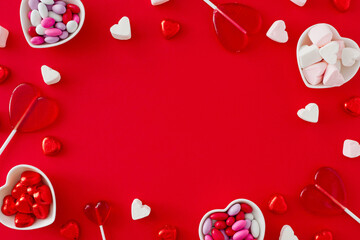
x,y
29,111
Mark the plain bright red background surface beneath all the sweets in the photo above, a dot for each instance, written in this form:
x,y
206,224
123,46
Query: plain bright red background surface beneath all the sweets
x,y
181,124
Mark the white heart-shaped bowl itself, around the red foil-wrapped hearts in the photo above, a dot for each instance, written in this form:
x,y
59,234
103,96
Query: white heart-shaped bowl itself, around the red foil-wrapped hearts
x,y
12,178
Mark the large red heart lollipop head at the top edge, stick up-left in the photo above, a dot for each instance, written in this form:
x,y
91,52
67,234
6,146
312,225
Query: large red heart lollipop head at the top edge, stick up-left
x,y
230,36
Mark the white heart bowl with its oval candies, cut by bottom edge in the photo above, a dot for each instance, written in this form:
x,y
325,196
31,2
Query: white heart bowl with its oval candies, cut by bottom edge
x,y
240,220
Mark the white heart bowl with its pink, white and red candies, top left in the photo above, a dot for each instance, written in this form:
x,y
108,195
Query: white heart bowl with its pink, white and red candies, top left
x,y
50,23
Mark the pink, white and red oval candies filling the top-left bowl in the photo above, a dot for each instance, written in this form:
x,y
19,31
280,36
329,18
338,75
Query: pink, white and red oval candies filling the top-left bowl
x,y
52,21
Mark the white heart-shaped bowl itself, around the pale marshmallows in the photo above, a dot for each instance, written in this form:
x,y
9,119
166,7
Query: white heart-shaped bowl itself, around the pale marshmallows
x,y
347,72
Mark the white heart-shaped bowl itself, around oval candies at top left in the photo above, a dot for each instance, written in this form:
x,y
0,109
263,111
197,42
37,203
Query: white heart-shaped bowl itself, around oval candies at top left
x,y
25,23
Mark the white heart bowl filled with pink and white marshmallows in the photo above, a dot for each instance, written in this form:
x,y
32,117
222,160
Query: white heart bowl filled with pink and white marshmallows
x,y
326,59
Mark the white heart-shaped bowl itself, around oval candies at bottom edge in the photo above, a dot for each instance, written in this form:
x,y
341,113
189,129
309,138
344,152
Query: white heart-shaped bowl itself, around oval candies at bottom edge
x,y
256,212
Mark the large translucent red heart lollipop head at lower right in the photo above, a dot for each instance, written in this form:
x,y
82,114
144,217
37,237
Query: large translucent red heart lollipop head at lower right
x,y
315,201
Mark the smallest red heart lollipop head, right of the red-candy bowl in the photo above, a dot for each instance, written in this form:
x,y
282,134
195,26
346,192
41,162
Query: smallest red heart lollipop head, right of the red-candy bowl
x,y
98,213
